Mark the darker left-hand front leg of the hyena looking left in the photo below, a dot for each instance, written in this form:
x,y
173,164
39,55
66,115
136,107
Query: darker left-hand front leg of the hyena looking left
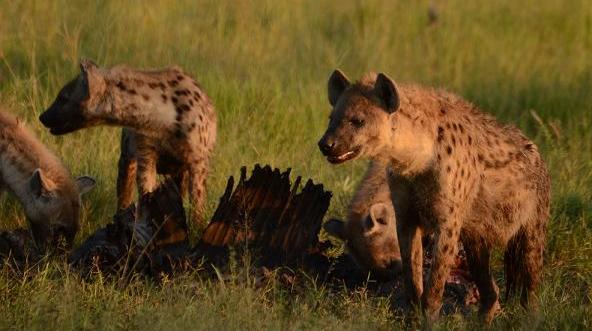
x,y
126,177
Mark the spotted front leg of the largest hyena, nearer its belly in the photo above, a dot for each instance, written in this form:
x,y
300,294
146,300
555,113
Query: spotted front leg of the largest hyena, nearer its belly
x,y
445,249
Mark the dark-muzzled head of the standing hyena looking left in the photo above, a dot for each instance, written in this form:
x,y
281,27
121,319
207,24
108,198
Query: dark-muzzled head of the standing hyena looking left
x,y
77,102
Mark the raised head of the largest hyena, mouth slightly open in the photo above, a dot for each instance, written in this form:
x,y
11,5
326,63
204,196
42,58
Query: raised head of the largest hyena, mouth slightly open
x,y
359,124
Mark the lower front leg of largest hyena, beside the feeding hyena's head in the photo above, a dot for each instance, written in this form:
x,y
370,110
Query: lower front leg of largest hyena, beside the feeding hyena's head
x,y
411,249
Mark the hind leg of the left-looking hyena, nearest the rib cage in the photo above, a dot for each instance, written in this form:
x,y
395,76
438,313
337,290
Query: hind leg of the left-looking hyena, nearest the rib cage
x,y
198,172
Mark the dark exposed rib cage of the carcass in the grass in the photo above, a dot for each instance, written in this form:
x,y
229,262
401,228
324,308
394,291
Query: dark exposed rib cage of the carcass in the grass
x,y
268,213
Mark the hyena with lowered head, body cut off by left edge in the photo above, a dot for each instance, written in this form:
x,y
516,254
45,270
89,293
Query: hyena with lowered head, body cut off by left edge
x,y
45,188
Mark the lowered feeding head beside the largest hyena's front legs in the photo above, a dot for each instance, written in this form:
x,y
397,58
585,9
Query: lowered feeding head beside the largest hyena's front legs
x,y
371,240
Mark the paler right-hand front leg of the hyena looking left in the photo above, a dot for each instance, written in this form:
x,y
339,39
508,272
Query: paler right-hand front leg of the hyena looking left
x,y
147,156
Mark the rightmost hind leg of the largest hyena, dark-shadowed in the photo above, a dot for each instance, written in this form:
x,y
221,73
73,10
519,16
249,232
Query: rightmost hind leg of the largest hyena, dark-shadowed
x,y
523,261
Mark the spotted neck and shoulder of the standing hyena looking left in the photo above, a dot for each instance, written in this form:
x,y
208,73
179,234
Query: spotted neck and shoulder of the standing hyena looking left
x,y
138,100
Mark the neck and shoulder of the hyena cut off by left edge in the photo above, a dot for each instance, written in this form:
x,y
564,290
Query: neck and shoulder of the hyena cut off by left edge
x,y
21,153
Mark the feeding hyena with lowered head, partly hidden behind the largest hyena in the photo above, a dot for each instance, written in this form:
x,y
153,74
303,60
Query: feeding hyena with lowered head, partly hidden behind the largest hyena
x,y
370,230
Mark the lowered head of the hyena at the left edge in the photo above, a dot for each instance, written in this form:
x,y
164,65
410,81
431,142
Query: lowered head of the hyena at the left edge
x,y
53,210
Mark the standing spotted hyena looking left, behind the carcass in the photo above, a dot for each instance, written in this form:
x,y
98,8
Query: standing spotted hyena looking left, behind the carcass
x,y
169,125
